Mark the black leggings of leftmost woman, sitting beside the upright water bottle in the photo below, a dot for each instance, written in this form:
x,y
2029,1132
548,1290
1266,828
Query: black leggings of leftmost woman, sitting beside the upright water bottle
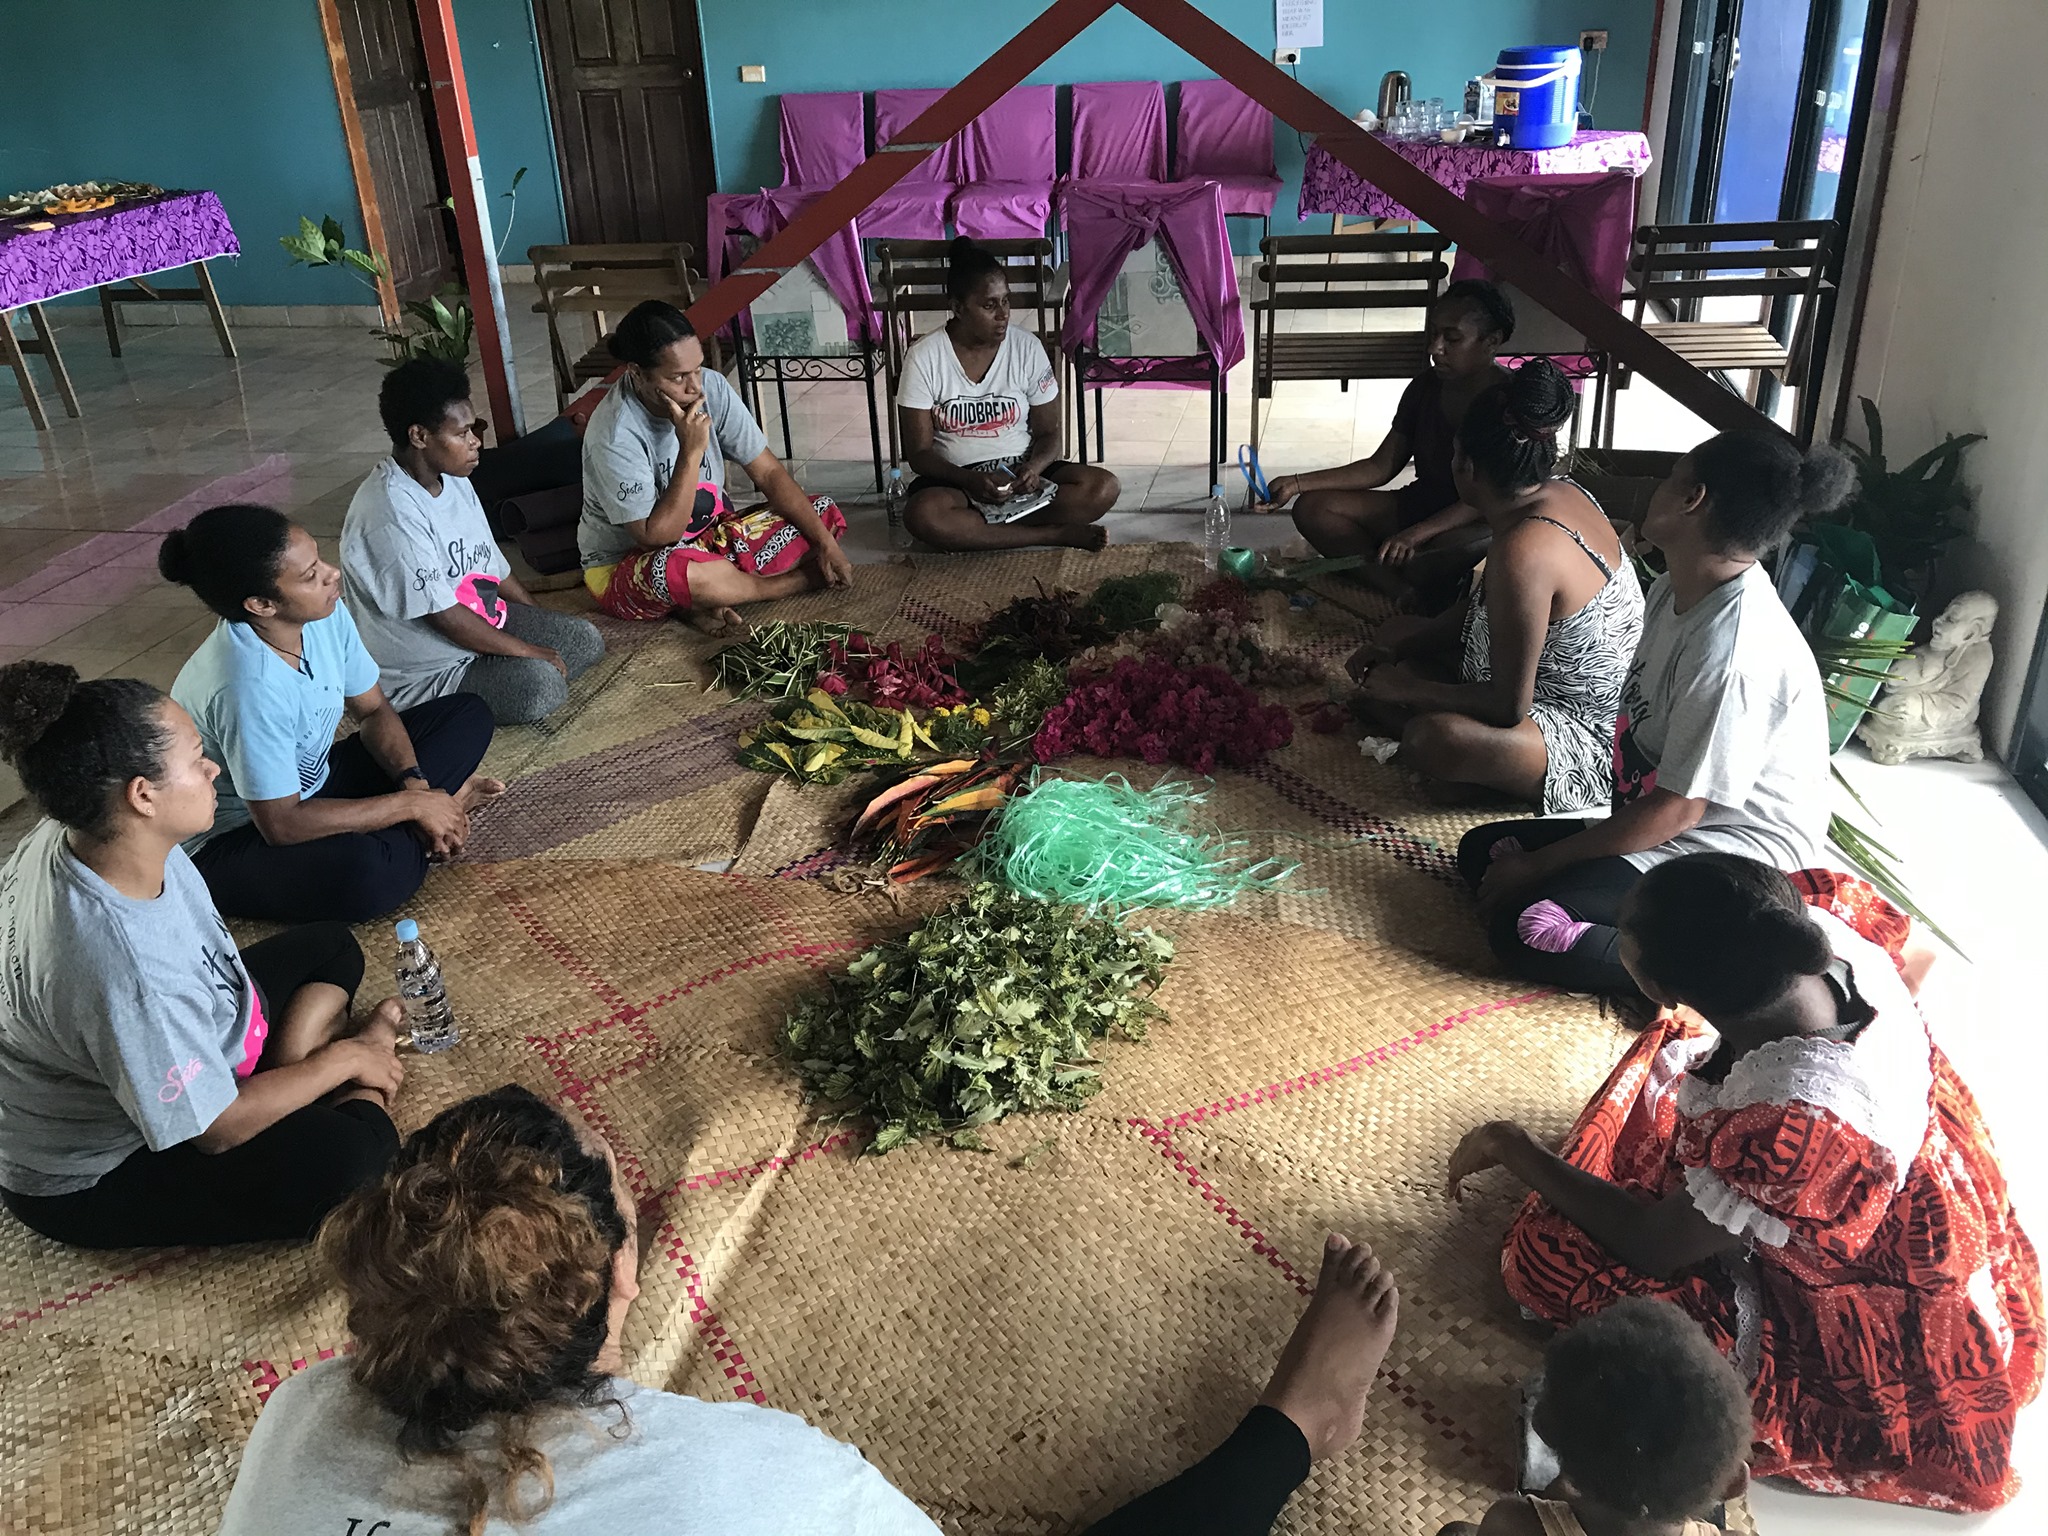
x,y
278,1185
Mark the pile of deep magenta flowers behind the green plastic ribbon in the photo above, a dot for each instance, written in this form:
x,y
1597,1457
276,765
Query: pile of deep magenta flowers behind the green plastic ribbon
x,y
1164,714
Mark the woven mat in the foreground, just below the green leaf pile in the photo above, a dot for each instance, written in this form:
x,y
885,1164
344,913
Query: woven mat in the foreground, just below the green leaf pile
x,y
1031,1336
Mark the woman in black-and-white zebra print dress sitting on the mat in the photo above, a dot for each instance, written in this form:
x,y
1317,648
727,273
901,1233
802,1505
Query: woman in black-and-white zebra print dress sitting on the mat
x,y
1517,687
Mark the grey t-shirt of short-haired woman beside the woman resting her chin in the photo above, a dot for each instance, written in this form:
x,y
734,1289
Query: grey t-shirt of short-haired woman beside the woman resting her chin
x,y
409,556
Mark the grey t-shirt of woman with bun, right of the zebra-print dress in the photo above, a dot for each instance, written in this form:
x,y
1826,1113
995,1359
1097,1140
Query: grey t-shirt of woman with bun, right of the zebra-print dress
x,y
1725,706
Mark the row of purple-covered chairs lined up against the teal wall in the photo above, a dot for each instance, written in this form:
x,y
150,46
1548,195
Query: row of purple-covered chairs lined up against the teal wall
x,y
1000,177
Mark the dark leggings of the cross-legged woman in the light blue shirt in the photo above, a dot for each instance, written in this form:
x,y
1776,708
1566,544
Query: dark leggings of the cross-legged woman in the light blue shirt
x,y
353,876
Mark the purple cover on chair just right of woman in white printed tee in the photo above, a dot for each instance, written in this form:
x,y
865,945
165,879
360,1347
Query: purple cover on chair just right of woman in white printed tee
x,y
1111,220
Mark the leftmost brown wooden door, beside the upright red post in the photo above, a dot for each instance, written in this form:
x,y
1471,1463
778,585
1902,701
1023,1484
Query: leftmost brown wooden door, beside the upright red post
x,y
394,99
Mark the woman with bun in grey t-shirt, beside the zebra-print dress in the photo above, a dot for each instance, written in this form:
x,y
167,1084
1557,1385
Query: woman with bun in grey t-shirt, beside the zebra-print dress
x,y
1721,740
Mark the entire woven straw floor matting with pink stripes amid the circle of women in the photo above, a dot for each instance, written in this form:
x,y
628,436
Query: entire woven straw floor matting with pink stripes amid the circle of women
x,y
1019,1338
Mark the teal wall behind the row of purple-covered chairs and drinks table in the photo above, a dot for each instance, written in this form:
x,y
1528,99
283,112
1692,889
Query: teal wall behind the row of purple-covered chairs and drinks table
x,y
878,44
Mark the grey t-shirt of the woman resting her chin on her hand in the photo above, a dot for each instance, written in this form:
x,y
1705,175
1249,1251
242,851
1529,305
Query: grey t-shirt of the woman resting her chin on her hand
x,y
630,456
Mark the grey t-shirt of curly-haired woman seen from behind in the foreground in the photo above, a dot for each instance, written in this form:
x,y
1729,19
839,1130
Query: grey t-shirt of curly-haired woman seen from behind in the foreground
x,y
325,1459
